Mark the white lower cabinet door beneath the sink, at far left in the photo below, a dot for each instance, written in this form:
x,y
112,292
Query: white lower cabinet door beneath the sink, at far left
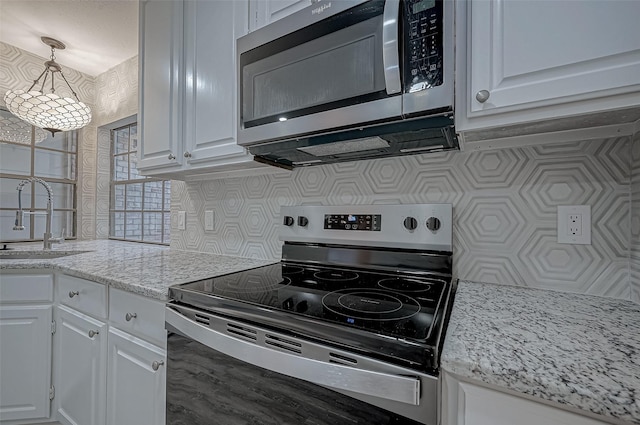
x,y
25,362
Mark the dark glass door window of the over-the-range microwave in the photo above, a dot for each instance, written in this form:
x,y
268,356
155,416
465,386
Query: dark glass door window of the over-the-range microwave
x,y
335,63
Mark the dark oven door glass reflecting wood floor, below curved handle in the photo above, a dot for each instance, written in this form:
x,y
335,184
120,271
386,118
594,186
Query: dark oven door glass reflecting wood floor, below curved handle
x,y
208,387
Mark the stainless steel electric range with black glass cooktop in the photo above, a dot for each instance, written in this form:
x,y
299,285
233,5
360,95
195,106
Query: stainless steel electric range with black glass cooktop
x,y
346,329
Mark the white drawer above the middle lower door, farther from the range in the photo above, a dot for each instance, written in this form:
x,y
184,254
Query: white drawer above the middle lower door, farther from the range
x,y
83,295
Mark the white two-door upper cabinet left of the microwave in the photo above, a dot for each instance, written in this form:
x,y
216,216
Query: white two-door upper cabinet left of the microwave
x,y
188,88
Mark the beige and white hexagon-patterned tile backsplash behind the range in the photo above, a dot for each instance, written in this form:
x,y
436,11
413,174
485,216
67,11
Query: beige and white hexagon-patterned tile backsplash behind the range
x,y
504,204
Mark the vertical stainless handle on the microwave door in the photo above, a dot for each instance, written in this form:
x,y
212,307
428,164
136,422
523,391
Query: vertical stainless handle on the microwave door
x,y
390,51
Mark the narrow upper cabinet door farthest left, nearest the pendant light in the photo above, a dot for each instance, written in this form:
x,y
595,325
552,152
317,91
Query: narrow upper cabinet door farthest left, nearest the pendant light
x,y
160,119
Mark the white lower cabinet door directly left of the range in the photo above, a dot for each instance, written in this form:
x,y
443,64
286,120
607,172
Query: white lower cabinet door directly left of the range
x,y
137,379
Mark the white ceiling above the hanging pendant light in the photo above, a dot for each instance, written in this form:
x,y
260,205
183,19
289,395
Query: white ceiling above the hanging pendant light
x,y
99,34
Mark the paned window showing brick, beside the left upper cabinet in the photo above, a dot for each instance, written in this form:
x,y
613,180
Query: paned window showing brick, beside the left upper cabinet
x,y
140,206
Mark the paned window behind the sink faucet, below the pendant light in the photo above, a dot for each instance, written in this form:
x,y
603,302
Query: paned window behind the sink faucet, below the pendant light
x,y
27,151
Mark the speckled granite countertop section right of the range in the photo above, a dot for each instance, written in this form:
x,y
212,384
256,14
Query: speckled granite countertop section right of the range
x,y
577,350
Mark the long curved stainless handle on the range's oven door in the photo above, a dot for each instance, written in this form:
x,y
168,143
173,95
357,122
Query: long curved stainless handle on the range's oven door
x,y
405,389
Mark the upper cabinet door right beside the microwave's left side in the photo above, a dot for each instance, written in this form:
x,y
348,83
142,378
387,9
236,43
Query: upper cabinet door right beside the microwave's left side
x,y
211,30
